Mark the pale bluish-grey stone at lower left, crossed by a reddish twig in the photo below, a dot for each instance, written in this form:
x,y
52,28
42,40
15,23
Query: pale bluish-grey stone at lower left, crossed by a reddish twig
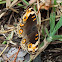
x,y
20,56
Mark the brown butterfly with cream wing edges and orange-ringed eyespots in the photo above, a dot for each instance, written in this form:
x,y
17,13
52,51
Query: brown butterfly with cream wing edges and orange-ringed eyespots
x,y
29,31
